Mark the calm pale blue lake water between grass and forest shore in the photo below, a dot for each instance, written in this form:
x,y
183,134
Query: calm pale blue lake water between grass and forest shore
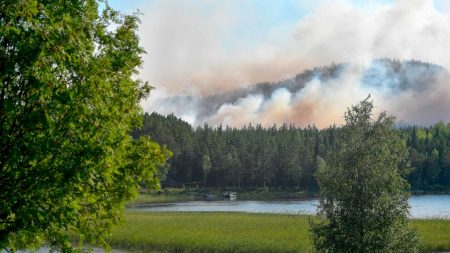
x,y
423,206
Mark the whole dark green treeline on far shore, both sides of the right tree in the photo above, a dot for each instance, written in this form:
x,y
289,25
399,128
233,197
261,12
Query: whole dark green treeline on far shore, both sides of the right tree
x,y
280,156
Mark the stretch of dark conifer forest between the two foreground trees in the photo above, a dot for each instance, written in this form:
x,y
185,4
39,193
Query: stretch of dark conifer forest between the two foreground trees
x,y
250,157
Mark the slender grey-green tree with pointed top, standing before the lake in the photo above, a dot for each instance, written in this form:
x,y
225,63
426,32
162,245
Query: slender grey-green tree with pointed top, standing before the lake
x,y
363,195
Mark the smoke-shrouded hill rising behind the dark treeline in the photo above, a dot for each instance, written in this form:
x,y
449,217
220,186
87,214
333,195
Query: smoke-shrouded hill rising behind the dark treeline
x,y
418,93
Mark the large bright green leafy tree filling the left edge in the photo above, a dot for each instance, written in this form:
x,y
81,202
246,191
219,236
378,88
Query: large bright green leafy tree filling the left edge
x,y
67,105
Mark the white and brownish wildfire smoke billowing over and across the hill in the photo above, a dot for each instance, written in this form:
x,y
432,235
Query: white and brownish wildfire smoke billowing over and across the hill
x,y
195,54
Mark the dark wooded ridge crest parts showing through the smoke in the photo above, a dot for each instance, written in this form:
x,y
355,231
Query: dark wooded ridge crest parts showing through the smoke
x,y
395,74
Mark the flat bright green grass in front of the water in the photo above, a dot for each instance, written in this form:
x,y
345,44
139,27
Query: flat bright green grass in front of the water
x,y
239,232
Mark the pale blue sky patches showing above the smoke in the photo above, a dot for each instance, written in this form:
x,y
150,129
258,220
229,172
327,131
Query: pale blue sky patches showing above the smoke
x,y
267,15
